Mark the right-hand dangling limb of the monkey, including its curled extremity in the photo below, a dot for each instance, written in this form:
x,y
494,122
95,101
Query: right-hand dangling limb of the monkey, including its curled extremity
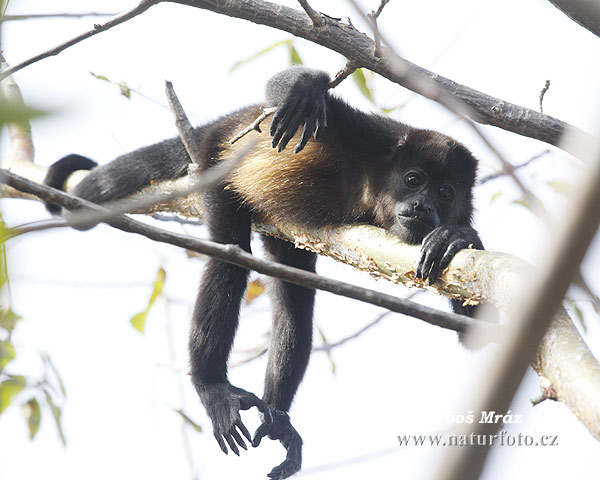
x,y
289,352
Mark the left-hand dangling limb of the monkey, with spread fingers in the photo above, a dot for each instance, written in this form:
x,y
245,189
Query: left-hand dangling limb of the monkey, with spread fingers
x,y
214,324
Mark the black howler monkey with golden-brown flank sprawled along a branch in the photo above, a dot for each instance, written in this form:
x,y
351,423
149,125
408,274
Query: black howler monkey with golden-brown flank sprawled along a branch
x,y
347,166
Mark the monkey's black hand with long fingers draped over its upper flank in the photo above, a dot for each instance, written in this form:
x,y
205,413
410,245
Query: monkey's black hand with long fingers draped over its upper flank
x,y
303,104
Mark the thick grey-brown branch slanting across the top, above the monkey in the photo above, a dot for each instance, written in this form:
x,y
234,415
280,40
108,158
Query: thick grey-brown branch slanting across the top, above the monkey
x,y
359,48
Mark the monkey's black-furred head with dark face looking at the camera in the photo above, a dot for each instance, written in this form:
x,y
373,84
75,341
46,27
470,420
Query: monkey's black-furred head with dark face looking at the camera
x,y
432,181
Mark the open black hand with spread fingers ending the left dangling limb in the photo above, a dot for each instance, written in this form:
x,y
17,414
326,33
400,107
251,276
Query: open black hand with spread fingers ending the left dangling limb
x,y
223,403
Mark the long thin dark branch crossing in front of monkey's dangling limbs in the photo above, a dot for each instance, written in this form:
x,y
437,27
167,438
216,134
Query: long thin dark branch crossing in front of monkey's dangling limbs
x,y
237,256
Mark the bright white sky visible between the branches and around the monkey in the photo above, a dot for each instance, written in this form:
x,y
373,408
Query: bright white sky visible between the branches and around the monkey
x,y
401,378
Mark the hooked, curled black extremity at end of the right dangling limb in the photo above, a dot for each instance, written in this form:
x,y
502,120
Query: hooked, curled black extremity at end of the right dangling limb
x,y
281,429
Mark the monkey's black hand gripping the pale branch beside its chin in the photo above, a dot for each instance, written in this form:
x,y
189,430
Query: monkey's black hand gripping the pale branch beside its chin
x,y
440,246
